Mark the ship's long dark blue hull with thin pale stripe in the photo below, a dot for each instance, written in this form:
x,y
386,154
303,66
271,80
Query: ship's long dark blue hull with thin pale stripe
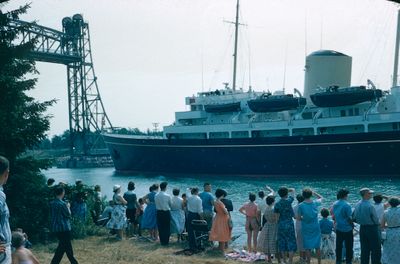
x,y
361,154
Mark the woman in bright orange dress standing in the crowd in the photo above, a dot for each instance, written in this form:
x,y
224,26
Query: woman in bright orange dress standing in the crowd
x,y
220,230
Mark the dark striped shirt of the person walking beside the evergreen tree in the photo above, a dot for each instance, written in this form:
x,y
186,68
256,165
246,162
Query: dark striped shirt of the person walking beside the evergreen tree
x,y
60,215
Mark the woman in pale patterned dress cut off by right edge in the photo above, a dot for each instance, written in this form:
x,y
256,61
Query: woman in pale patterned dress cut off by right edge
x,y
391,223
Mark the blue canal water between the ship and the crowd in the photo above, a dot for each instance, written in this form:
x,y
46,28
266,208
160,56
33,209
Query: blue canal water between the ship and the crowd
x,y
237,187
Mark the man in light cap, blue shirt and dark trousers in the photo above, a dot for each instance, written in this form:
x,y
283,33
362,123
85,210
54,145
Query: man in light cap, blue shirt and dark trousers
x,y
365,215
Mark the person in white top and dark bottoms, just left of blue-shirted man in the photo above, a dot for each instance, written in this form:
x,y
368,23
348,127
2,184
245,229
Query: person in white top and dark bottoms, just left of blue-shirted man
x,y
195,212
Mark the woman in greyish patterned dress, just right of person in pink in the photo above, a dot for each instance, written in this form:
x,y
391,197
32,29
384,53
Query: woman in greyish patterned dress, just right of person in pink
x,y
269,233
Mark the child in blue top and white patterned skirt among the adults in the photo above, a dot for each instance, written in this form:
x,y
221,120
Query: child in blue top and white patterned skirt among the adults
x,y
327,236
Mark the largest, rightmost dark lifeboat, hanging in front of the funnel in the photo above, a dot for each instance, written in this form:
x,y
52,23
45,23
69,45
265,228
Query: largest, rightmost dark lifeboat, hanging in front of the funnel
x,y
334,96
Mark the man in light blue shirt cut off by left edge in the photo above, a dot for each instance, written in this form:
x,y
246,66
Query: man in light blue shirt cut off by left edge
x,y
5,231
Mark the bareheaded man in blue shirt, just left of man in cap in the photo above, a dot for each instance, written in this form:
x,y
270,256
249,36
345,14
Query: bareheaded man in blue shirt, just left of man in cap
x,y
344,226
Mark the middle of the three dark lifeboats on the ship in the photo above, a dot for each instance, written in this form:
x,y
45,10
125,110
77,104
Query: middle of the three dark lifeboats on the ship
x,y
275,103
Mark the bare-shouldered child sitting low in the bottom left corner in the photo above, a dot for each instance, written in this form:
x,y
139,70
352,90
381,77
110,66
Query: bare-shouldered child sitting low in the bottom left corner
x,y
21,255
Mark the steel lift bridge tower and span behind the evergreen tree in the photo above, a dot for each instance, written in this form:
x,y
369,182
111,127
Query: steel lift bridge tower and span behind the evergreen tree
x,y
71,47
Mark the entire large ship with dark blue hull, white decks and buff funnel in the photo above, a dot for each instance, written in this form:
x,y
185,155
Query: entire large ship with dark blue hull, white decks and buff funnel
x,y
331,129
